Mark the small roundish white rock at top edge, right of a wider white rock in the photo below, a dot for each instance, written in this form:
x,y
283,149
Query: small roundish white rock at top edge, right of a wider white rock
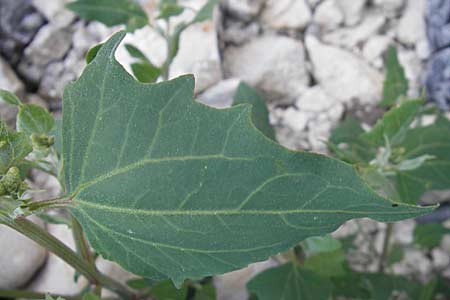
x,y
328,15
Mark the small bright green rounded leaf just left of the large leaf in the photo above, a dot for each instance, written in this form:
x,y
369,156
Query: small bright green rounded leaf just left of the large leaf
x,y
34,119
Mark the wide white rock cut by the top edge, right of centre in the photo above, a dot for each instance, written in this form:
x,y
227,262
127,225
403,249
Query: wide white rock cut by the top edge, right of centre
x,y
286,14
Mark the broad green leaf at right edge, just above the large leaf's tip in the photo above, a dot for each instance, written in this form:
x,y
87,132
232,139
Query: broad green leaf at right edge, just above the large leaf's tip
x,y
433,141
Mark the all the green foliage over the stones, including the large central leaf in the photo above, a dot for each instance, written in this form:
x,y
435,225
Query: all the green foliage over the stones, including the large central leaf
x,y
174,190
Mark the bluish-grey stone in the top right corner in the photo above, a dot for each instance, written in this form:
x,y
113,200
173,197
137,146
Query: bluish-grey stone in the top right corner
x,y
438,24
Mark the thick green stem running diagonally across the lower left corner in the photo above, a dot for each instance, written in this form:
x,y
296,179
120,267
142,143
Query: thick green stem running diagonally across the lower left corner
x,y
46,240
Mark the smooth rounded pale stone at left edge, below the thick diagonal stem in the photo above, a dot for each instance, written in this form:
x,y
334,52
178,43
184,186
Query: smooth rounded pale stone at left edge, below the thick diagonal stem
x,y
20,258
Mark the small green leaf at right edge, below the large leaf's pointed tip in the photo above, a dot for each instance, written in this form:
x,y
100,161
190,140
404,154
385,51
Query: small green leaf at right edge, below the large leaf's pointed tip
x,y
429,235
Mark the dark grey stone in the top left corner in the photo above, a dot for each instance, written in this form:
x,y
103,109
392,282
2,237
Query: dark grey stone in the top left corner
x,y
19,22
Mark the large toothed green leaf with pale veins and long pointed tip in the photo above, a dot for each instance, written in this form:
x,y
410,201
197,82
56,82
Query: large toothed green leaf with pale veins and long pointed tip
x,y
169,187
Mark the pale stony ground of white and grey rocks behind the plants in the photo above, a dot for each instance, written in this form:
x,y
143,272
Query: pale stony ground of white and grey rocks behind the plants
x,y
314,60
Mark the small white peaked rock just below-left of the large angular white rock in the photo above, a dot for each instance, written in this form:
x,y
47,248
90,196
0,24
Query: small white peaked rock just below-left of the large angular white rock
x,y
315,99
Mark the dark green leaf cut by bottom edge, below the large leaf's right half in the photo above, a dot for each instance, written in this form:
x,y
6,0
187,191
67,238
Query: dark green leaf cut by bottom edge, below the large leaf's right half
x,y
290,282
